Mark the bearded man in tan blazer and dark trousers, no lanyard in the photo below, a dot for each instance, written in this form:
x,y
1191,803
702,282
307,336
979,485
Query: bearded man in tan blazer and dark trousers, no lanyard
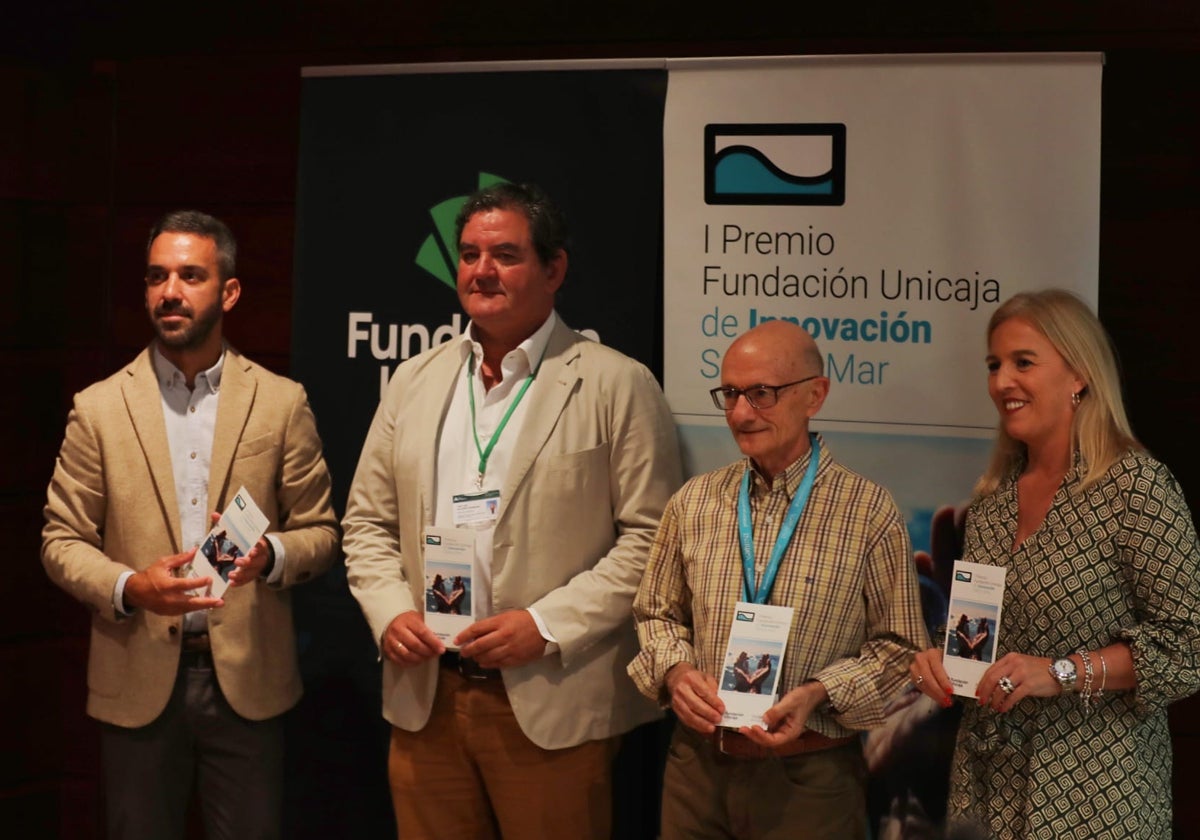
x,y
188,688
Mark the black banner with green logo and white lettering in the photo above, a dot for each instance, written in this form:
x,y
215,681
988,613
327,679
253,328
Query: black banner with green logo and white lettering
x,y
386,163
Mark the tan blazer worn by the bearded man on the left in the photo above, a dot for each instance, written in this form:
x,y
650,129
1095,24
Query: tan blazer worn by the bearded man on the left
x,y
111,508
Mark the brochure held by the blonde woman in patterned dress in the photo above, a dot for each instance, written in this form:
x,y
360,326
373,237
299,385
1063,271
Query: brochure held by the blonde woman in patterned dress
x,y
973,629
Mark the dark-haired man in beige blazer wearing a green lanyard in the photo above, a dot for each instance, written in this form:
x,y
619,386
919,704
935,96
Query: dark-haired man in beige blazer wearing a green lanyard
x,y
514,733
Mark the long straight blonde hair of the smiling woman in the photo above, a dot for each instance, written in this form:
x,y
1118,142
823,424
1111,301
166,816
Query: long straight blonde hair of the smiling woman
x,y
1100,430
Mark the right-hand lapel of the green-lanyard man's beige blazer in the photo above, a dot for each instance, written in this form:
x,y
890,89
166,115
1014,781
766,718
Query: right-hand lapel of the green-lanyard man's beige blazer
x,y
556,381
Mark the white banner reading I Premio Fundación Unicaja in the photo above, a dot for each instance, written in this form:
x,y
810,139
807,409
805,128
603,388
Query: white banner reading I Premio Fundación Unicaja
x,y
887,205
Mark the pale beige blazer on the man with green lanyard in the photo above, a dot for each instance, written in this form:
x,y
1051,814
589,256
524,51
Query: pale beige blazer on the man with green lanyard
x,y
596,463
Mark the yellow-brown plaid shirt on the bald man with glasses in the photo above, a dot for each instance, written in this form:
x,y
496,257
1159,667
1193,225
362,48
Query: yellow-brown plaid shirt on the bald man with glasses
x,y
849,573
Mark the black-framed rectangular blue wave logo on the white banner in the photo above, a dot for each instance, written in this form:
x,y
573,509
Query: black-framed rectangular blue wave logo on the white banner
x,y
776,164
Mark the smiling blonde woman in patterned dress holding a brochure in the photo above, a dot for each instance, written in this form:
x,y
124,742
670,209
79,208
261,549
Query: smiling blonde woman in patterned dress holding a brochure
x,y
1101,626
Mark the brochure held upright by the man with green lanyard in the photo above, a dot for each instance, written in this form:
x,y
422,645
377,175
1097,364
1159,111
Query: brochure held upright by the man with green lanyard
x,y
449,569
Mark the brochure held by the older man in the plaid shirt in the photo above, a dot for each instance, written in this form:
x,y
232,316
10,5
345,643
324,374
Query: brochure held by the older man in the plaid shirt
x,y
753,662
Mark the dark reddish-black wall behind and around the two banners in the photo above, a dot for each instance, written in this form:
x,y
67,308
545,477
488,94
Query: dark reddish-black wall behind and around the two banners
x,y
110,117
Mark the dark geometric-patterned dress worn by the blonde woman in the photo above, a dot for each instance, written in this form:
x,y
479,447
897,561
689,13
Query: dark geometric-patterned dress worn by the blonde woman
x,y
1115,562
